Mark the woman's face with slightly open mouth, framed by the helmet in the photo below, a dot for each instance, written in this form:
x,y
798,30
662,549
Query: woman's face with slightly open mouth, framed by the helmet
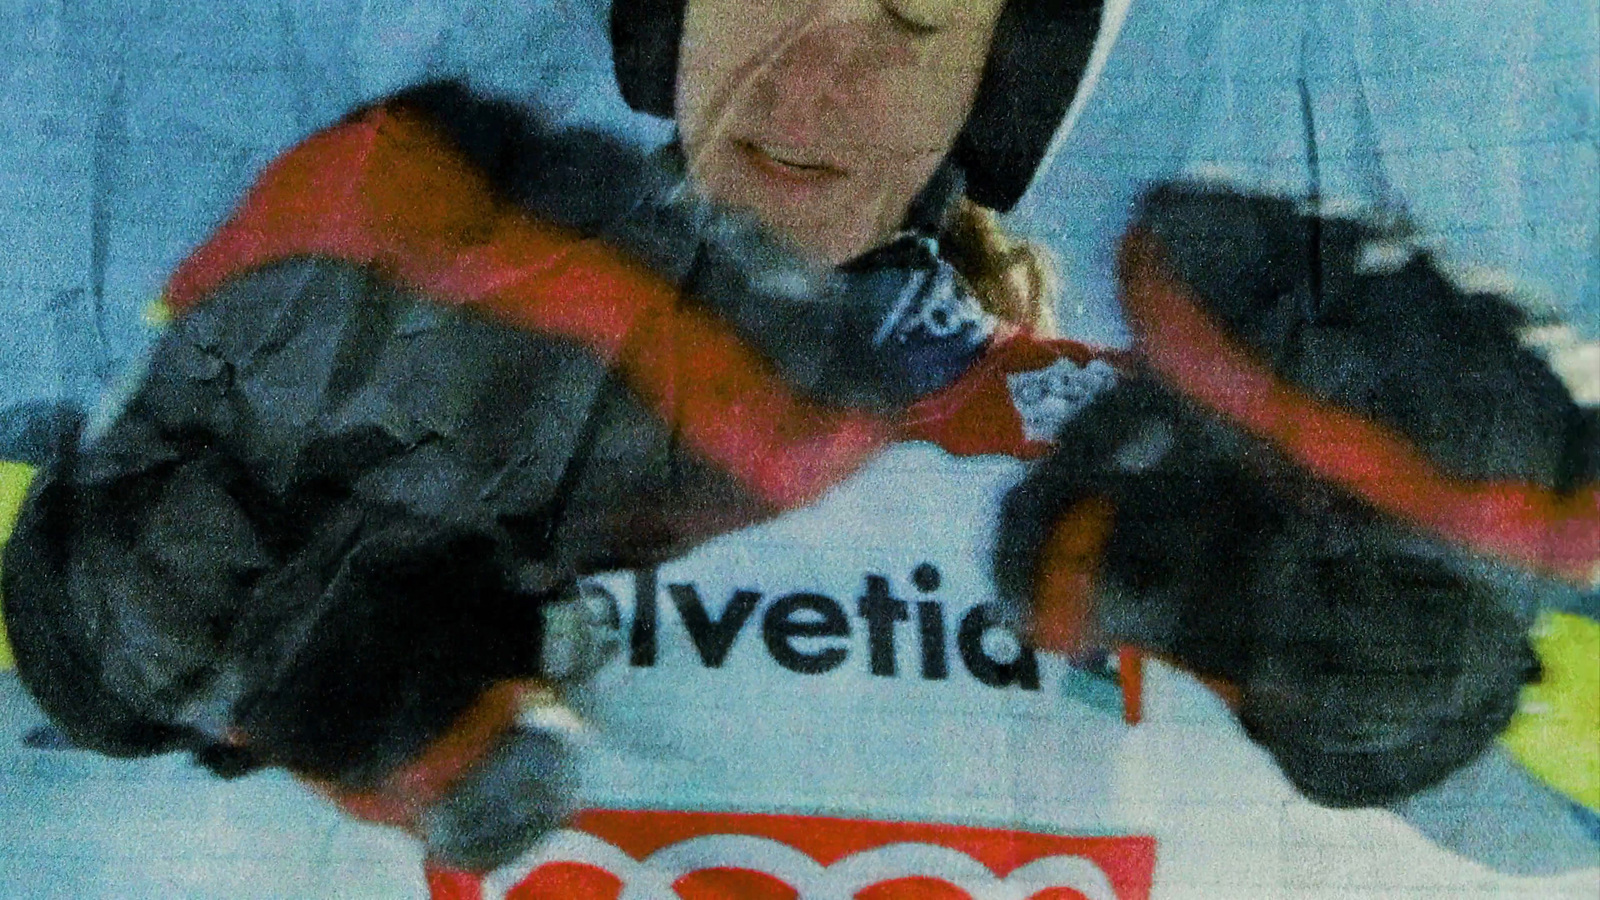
x,y
826,118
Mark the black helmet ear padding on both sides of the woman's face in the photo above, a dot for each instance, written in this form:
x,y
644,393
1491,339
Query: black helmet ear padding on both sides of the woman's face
x,y
1039,55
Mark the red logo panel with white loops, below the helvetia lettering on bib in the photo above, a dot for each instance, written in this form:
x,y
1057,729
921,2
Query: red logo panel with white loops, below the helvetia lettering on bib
x,y
690,856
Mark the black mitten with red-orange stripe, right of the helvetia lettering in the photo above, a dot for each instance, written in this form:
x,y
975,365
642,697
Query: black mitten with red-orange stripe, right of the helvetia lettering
x,y
1338,481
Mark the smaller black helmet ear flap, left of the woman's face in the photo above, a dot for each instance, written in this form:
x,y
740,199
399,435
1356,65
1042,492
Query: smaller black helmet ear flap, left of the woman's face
x,y
646,39
